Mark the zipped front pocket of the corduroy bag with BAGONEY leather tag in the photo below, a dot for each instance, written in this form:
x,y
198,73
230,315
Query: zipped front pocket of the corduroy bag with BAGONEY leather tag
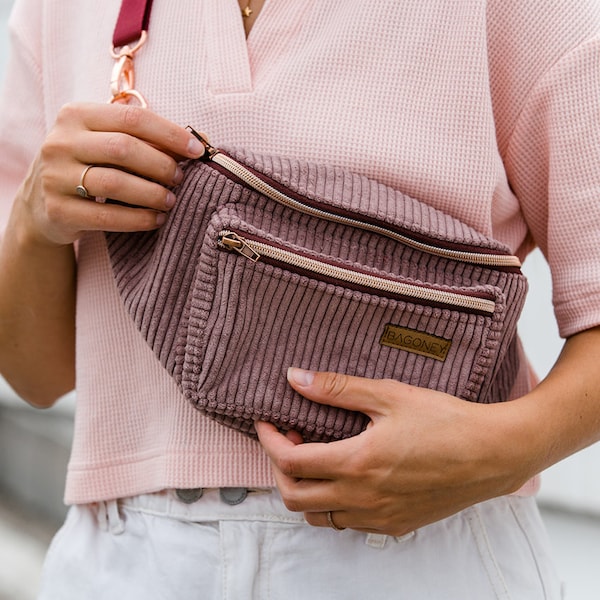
x,y
261,304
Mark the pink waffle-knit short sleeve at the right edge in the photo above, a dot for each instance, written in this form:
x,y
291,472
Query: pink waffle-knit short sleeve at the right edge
x,y
544,58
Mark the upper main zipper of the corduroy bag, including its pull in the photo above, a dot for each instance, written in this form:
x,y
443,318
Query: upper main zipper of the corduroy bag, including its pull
x,y
262,184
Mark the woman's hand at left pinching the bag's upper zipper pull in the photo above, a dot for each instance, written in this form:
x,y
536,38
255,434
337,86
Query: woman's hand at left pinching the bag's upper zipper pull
x,y
133,153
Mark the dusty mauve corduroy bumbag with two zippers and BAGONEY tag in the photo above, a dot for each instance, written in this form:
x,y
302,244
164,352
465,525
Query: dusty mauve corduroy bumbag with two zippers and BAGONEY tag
x,y
267,262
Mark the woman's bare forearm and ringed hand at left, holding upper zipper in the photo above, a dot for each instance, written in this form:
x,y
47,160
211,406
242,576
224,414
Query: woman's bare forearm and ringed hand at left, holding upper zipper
x,y
134,154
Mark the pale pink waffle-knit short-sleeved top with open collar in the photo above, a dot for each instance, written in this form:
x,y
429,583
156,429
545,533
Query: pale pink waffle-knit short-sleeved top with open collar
x,y
487,110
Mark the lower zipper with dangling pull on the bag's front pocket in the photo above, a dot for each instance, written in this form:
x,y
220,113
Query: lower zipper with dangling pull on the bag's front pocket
x,y
254,250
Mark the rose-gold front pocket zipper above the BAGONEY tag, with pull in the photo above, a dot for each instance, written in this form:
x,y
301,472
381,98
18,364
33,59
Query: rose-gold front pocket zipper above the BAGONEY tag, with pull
x,y
363,279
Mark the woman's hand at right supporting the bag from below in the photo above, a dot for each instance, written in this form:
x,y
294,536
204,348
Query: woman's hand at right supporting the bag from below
x,y
424,456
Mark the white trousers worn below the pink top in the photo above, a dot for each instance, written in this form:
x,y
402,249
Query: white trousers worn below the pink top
x,y
157,547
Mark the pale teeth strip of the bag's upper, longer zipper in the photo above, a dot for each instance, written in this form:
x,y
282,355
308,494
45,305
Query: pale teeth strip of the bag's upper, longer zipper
x,y
237,169
